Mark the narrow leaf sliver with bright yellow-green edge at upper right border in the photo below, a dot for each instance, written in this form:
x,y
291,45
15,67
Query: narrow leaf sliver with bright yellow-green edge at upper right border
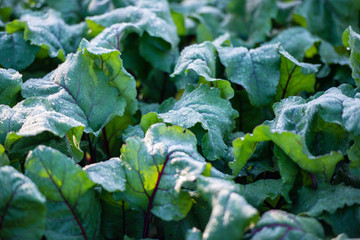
x,y
351,40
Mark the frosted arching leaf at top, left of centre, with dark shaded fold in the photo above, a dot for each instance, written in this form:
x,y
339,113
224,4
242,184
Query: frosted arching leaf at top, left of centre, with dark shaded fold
x,y
152,22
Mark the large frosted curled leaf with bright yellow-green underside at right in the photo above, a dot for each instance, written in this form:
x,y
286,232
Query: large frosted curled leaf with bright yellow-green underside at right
x,y
318,127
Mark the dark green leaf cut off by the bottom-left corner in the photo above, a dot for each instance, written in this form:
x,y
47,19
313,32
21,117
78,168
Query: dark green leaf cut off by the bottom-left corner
x,y
22,206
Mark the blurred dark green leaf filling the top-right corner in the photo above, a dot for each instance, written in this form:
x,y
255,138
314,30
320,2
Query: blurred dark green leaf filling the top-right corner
x,y
328,18
